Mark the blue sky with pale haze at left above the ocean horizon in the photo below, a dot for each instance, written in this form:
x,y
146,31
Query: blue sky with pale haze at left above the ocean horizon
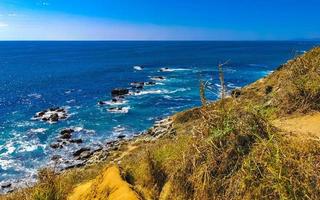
x,y
159,19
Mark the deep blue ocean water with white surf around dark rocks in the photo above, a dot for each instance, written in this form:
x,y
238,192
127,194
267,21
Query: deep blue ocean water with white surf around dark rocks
x,y
76,75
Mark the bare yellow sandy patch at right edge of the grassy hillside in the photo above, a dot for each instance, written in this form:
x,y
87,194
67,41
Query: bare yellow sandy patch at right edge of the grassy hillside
x,y
307,125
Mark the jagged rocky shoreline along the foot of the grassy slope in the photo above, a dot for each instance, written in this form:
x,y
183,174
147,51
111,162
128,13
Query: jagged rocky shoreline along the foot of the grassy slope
x,y
88,155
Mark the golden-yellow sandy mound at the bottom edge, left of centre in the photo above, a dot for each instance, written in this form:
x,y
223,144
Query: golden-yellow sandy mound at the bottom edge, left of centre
x,y
107,186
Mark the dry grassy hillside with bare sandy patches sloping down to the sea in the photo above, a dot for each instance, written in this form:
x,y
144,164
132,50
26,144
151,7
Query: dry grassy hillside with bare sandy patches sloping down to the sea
x,y
262,142
